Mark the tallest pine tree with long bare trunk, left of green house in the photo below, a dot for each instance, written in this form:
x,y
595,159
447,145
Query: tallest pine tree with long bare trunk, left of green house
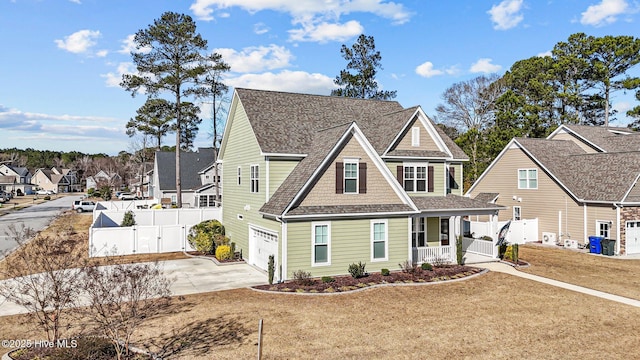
x,y
173,66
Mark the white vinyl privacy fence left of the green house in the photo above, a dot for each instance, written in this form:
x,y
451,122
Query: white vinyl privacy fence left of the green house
x,y
156,231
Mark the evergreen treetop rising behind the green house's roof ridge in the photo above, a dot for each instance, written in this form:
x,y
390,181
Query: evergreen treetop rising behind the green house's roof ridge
x,y
363,58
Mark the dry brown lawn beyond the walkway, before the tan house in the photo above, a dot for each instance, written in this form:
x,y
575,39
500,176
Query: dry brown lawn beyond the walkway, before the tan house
x,y
604,273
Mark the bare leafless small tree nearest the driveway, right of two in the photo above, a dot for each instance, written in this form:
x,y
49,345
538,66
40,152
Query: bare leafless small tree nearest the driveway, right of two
x,y
121,297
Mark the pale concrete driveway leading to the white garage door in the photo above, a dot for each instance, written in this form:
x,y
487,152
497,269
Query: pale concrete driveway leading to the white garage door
x,y
190,276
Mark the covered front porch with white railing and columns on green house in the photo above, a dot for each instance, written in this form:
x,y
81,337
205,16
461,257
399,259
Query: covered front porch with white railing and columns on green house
x,y
441,222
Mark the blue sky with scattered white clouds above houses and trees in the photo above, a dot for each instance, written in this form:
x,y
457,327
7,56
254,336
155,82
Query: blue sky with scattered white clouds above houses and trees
x,y
62,60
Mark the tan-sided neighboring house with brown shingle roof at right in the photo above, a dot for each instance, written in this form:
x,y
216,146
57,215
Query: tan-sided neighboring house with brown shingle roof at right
x,y
580,181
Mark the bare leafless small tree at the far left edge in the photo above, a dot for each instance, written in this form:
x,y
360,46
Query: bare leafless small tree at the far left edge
x,y
43,278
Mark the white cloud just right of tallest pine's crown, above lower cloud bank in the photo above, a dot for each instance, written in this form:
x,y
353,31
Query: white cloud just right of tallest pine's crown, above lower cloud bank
x,y
256,58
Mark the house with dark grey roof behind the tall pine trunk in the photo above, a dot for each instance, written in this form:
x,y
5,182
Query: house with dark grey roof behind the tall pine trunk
x,y
196,176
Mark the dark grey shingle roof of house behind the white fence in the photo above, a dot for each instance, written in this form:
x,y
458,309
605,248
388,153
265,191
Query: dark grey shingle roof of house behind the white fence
x,y
190,165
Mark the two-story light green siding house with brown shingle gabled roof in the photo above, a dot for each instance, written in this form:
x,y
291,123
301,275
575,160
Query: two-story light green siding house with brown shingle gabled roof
x,y
321,182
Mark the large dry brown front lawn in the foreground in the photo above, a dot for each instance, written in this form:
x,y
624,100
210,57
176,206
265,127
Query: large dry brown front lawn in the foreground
x,y
492,316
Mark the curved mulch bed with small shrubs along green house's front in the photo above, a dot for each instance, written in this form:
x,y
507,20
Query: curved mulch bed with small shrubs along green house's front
x,y
348,283
